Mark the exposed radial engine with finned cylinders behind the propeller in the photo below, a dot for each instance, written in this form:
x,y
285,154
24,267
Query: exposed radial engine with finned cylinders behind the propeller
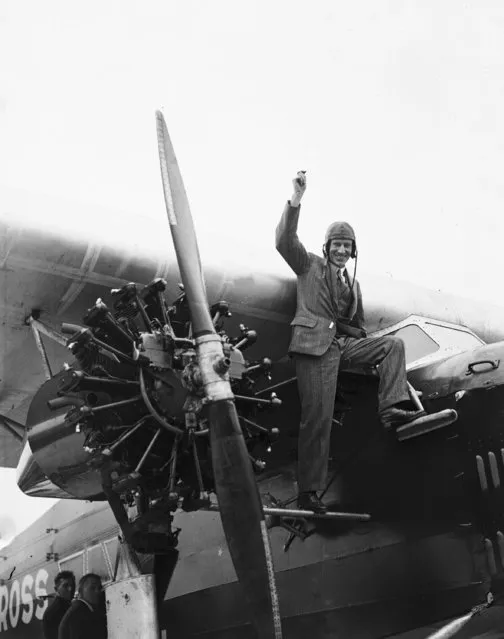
x,y
126,421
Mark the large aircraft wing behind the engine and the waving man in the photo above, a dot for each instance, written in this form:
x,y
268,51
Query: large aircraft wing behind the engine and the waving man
x,y
58,257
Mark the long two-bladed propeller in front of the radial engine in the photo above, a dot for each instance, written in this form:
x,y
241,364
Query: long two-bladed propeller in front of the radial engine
x,y
239,502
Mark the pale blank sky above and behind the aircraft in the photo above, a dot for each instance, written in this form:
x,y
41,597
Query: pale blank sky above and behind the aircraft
x,y
394,108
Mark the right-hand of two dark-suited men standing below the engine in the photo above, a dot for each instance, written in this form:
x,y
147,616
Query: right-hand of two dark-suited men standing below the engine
x,y
86,617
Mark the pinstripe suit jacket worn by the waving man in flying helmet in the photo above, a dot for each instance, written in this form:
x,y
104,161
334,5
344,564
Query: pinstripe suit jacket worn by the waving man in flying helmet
x,y
316,322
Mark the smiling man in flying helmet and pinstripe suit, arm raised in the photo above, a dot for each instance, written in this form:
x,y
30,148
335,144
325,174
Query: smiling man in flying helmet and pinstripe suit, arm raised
x,y
328,334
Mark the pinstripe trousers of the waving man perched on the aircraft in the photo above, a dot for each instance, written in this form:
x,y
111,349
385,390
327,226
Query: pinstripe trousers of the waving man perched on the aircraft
x,y
317,379
